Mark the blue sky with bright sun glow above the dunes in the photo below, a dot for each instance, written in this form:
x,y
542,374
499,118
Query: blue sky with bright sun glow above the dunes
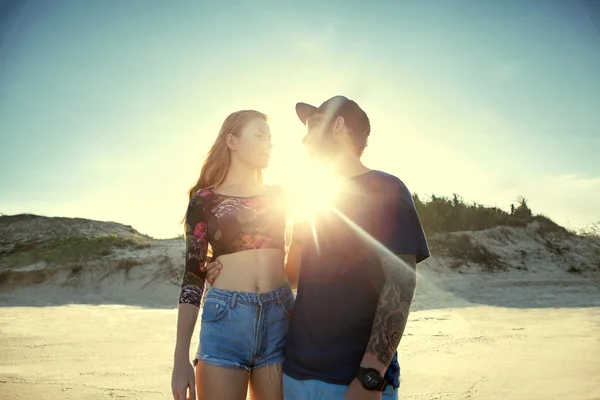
x,y
107,108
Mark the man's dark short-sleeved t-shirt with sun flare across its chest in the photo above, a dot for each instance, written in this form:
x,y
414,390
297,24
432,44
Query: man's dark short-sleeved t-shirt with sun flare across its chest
x,y
341,280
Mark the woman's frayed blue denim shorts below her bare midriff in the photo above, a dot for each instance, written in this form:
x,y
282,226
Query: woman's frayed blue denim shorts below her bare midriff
x,y
244,330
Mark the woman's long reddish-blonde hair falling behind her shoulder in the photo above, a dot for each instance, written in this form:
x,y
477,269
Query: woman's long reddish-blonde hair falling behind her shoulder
x,y
216,165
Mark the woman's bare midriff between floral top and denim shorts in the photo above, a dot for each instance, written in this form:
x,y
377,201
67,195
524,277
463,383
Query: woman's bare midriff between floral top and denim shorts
x,y
255,271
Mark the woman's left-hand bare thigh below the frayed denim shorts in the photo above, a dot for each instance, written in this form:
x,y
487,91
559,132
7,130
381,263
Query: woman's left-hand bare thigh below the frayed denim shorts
x,y
218,383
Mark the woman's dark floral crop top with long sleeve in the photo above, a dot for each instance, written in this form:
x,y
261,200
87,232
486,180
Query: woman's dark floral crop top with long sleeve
x,y
228,224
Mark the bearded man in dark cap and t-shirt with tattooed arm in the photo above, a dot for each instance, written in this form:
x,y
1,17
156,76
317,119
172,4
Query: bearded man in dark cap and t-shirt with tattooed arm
x,y
356,265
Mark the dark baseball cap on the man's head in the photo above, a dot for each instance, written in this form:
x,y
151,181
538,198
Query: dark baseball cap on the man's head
x,y
338,106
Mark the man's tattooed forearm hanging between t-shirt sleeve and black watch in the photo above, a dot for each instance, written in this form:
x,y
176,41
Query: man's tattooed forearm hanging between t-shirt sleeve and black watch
x,y
393,307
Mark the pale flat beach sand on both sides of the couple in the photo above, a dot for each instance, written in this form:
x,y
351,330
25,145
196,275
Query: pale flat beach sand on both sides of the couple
x,y
470,336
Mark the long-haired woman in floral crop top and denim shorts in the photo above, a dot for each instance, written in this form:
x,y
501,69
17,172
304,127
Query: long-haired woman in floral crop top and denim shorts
x,y
245,314
